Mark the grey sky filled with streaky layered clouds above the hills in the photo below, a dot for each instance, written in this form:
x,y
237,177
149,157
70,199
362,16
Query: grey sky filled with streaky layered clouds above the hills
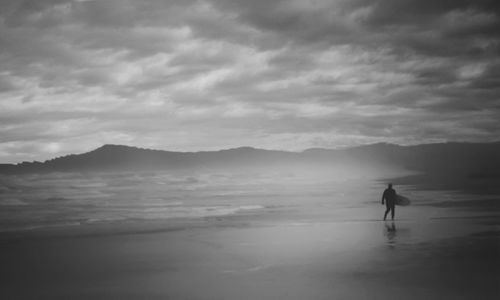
x,y
187,75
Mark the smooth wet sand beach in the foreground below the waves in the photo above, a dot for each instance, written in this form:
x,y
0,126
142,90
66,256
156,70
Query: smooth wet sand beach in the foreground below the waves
x,y
256,256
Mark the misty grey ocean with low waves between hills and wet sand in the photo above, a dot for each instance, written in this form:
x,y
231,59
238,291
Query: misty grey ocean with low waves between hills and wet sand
x,y
73,199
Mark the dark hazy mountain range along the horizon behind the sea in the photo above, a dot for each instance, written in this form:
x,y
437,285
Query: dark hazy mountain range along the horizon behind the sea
x,y
474,160
